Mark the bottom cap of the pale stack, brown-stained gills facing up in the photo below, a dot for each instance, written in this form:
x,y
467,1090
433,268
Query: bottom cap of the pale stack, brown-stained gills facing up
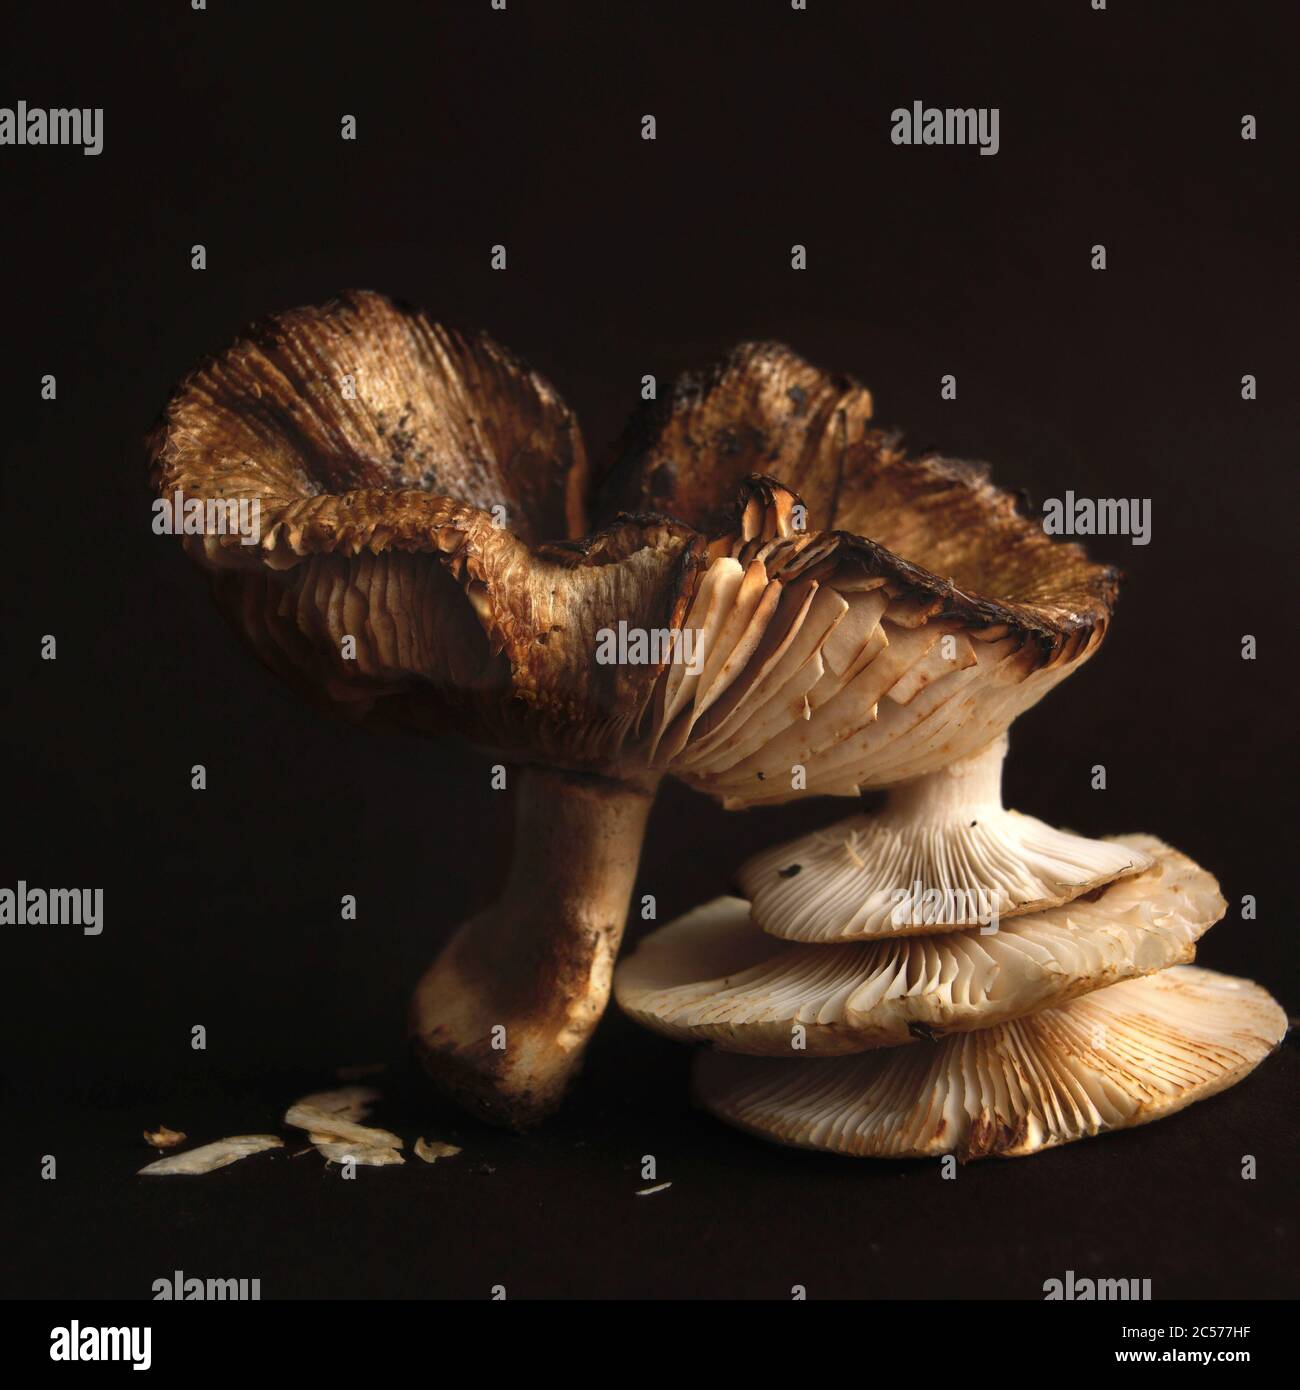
x,y
1117,1058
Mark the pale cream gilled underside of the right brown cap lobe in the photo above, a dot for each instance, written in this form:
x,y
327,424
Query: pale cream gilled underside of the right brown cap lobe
x,y
840,669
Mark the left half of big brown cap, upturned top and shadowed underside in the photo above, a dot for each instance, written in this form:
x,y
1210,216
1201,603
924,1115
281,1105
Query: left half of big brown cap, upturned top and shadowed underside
x,y
383,451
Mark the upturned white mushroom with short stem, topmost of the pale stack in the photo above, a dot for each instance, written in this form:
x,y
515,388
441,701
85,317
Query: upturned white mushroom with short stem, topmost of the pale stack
x,y
942,854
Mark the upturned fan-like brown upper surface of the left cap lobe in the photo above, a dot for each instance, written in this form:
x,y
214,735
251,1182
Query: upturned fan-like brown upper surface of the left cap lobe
x,y
372,414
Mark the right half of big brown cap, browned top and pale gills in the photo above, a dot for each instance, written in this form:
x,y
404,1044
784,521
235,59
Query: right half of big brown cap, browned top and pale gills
x,y
920,612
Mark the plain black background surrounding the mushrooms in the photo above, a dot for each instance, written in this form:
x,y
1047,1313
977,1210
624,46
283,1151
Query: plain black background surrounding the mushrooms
x,y
625,258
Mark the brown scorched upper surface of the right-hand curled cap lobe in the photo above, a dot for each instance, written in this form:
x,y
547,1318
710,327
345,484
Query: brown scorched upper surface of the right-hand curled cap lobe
x,y
935,526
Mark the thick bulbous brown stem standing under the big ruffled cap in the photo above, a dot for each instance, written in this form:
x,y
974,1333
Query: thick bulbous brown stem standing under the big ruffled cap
x,y
503,1018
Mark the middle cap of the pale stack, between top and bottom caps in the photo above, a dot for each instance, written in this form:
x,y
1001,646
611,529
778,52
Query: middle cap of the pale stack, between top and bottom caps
x,y
713,978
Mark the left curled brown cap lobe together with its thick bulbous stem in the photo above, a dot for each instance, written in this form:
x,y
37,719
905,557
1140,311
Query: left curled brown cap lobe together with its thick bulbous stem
x,y
418,491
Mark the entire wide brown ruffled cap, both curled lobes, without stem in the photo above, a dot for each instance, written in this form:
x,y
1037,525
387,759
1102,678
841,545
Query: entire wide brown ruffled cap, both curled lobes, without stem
x,y
825,603
